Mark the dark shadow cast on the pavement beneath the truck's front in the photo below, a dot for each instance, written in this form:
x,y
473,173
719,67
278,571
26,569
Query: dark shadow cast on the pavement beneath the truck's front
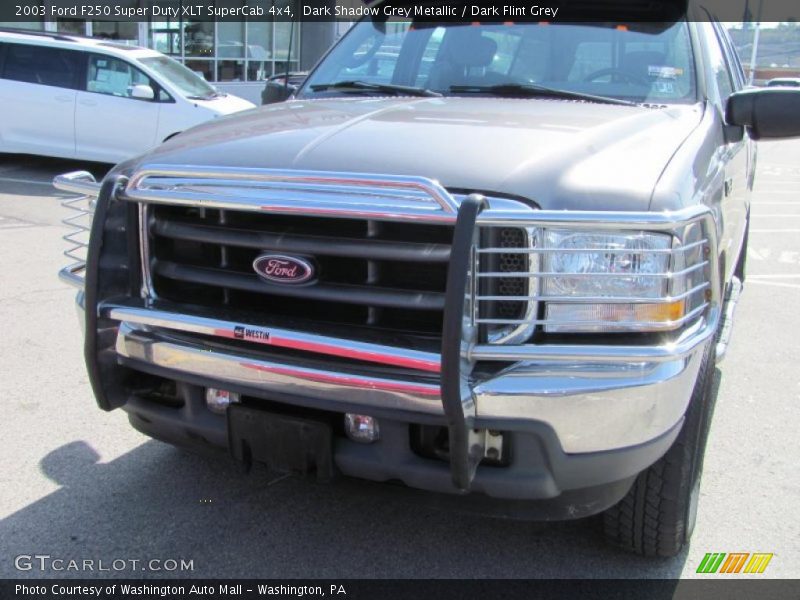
x,y
159,502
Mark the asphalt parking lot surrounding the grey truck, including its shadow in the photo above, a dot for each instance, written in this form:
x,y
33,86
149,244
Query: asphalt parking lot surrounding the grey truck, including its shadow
x,y
80,484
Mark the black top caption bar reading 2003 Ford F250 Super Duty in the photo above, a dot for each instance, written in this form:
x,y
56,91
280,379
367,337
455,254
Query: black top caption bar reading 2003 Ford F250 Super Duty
x,y
17,11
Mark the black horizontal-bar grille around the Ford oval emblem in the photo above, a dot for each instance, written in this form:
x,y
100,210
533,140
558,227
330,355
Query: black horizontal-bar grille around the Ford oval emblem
x,y
377,275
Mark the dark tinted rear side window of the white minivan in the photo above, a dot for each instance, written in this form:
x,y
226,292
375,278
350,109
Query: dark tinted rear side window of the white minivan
x,y
42,65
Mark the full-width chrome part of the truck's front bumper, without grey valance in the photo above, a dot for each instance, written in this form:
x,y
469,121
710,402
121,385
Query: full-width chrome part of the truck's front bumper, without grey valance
x,y
591,405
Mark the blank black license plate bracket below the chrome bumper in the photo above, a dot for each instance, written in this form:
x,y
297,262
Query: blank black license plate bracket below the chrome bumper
x,y
282,442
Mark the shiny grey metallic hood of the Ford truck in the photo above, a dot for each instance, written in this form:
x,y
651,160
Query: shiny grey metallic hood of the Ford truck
x,y
559,154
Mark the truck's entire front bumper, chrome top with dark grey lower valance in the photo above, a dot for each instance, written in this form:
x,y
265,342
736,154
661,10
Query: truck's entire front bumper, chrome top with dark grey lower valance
x,y
564,421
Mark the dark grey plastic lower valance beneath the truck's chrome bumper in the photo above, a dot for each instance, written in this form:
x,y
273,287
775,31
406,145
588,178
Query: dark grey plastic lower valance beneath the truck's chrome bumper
x,y
563,486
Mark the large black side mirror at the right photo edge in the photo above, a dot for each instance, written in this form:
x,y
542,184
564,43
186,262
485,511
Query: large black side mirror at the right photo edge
x,y
767,113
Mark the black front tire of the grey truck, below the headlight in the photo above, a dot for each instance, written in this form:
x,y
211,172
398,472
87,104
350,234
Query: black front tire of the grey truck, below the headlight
x,y
657,516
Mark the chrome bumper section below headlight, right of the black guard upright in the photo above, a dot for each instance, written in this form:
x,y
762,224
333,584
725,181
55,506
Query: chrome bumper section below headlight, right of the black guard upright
x,y
593,408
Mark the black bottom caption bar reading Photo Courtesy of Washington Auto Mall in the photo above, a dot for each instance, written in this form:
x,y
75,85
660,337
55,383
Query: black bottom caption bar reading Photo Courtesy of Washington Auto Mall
x,y
387,589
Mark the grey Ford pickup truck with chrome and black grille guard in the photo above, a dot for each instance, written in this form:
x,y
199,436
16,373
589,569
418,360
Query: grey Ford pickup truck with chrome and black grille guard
x,y
497,261
